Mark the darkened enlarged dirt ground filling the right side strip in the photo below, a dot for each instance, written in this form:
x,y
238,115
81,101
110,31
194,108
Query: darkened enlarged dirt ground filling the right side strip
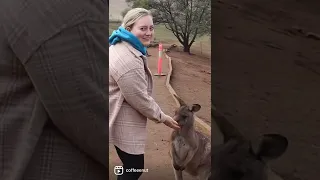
x,y
267,76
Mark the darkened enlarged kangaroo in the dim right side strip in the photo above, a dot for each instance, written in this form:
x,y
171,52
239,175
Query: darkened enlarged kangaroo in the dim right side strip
x,y
241,159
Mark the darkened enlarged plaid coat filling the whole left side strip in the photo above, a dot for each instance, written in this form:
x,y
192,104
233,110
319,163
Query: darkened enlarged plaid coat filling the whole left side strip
x,y
53,90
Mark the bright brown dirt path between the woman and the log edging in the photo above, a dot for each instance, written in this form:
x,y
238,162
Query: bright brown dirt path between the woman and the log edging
x,y
157,159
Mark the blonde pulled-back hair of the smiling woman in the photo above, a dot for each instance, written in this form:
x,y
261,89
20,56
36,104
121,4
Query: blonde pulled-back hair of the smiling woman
x,y
133,16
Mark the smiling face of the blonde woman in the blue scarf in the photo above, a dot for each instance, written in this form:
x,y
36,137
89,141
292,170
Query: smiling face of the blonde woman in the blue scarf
x,y
143,29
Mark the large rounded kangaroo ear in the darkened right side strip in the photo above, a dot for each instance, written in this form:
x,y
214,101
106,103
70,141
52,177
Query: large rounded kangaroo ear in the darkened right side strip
x,y
269,146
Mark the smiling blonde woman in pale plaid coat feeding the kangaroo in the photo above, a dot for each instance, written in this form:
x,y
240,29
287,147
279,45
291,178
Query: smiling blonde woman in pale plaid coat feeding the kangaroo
x,y
130,89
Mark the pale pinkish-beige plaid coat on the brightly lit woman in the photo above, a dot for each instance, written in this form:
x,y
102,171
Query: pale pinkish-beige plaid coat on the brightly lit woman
x,y
130,101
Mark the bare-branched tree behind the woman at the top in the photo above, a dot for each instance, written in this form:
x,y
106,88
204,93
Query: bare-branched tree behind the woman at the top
x,y
187,19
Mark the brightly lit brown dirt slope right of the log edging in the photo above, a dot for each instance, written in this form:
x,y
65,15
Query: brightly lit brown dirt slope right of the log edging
x,y
191,79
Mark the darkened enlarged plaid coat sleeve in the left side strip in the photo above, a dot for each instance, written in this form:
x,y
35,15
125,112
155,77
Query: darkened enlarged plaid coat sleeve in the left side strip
x,y
69,72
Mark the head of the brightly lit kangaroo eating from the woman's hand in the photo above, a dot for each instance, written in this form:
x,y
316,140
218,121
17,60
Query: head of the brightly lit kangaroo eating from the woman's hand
x,y
184,114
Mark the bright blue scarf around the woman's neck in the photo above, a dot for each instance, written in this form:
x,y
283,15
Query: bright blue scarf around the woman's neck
x,y
121,34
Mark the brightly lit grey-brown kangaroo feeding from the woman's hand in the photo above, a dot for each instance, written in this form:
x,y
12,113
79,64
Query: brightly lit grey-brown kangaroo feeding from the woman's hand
x,y
190,150
